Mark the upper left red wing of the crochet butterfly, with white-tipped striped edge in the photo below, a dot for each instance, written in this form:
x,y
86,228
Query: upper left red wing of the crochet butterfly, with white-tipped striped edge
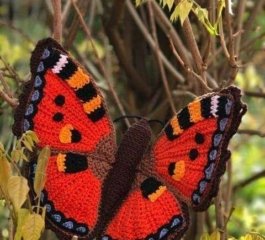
x,y
61,103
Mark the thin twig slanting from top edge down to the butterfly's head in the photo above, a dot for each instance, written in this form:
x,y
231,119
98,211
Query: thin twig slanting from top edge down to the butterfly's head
x,y
87,32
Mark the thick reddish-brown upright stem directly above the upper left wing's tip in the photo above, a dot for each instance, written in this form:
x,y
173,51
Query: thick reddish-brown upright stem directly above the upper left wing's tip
x,y
57,20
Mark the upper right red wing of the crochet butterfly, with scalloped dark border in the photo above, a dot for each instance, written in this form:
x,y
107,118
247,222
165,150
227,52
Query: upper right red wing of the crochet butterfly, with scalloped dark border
x,y
192,151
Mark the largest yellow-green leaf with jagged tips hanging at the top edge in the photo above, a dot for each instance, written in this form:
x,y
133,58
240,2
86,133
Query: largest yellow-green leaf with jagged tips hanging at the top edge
x,y
182,11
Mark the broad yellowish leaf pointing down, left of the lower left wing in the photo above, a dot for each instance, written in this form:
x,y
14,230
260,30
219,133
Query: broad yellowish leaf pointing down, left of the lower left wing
x,y
17,188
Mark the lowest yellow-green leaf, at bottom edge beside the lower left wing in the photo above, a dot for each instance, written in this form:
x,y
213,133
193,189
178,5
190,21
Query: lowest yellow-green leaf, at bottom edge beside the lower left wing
x,y
32,227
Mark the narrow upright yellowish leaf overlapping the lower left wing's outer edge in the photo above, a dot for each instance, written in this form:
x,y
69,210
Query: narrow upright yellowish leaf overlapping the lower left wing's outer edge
x,y
40,175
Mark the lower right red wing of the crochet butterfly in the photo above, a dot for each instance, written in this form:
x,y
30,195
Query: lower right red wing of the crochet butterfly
x,y
150,212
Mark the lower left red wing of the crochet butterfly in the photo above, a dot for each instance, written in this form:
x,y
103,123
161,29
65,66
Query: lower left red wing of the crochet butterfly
x,y
71,200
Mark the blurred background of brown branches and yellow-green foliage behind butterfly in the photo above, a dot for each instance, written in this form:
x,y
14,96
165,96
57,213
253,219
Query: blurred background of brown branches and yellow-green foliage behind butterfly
x,y
155,65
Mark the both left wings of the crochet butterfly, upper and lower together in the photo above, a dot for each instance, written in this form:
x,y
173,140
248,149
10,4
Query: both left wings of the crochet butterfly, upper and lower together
x,y
66,110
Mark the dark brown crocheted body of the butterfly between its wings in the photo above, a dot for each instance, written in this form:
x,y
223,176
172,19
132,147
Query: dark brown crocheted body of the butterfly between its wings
x,y
120,178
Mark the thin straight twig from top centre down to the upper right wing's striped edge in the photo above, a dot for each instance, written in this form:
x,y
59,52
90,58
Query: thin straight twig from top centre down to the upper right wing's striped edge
x,y
160,64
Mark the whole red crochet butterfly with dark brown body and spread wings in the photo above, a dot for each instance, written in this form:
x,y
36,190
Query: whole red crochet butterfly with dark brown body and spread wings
x,y
137,190
